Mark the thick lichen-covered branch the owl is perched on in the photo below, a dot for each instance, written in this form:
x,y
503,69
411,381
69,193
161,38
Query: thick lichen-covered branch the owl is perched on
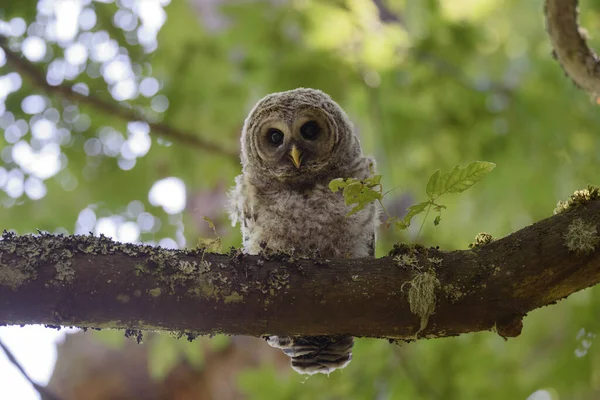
x,y
94,282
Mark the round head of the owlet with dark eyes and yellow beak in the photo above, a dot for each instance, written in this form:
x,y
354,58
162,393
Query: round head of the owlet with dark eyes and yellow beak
x,y
298,135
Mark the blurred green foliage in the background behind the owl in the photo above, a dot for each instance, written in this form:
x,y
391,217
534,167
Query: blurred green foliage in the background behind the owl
x,y
431,85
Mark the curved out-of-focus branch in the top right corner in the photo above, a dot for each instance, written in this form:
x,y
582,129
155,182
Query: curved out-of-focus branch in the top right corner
x,y
580,63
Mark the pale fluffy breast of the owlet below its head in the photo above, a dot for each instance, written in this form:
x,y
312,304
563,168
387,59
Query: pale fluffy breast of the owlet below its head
x,y
307,223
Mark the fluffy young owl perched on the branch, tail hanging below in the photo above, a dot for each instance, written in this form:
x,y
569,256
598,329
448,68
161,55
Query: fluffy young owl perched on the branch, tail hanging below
x,y
293,144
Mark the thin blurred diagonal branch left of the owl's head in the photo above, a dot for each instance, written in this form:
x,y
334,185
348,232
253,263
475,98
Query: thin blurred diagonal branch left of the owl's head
x,y
37,78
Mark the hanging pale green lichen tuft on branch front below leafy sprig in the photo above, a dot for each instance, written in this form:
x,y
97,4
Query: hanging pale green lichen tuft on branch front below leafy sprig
x,y
422,296
